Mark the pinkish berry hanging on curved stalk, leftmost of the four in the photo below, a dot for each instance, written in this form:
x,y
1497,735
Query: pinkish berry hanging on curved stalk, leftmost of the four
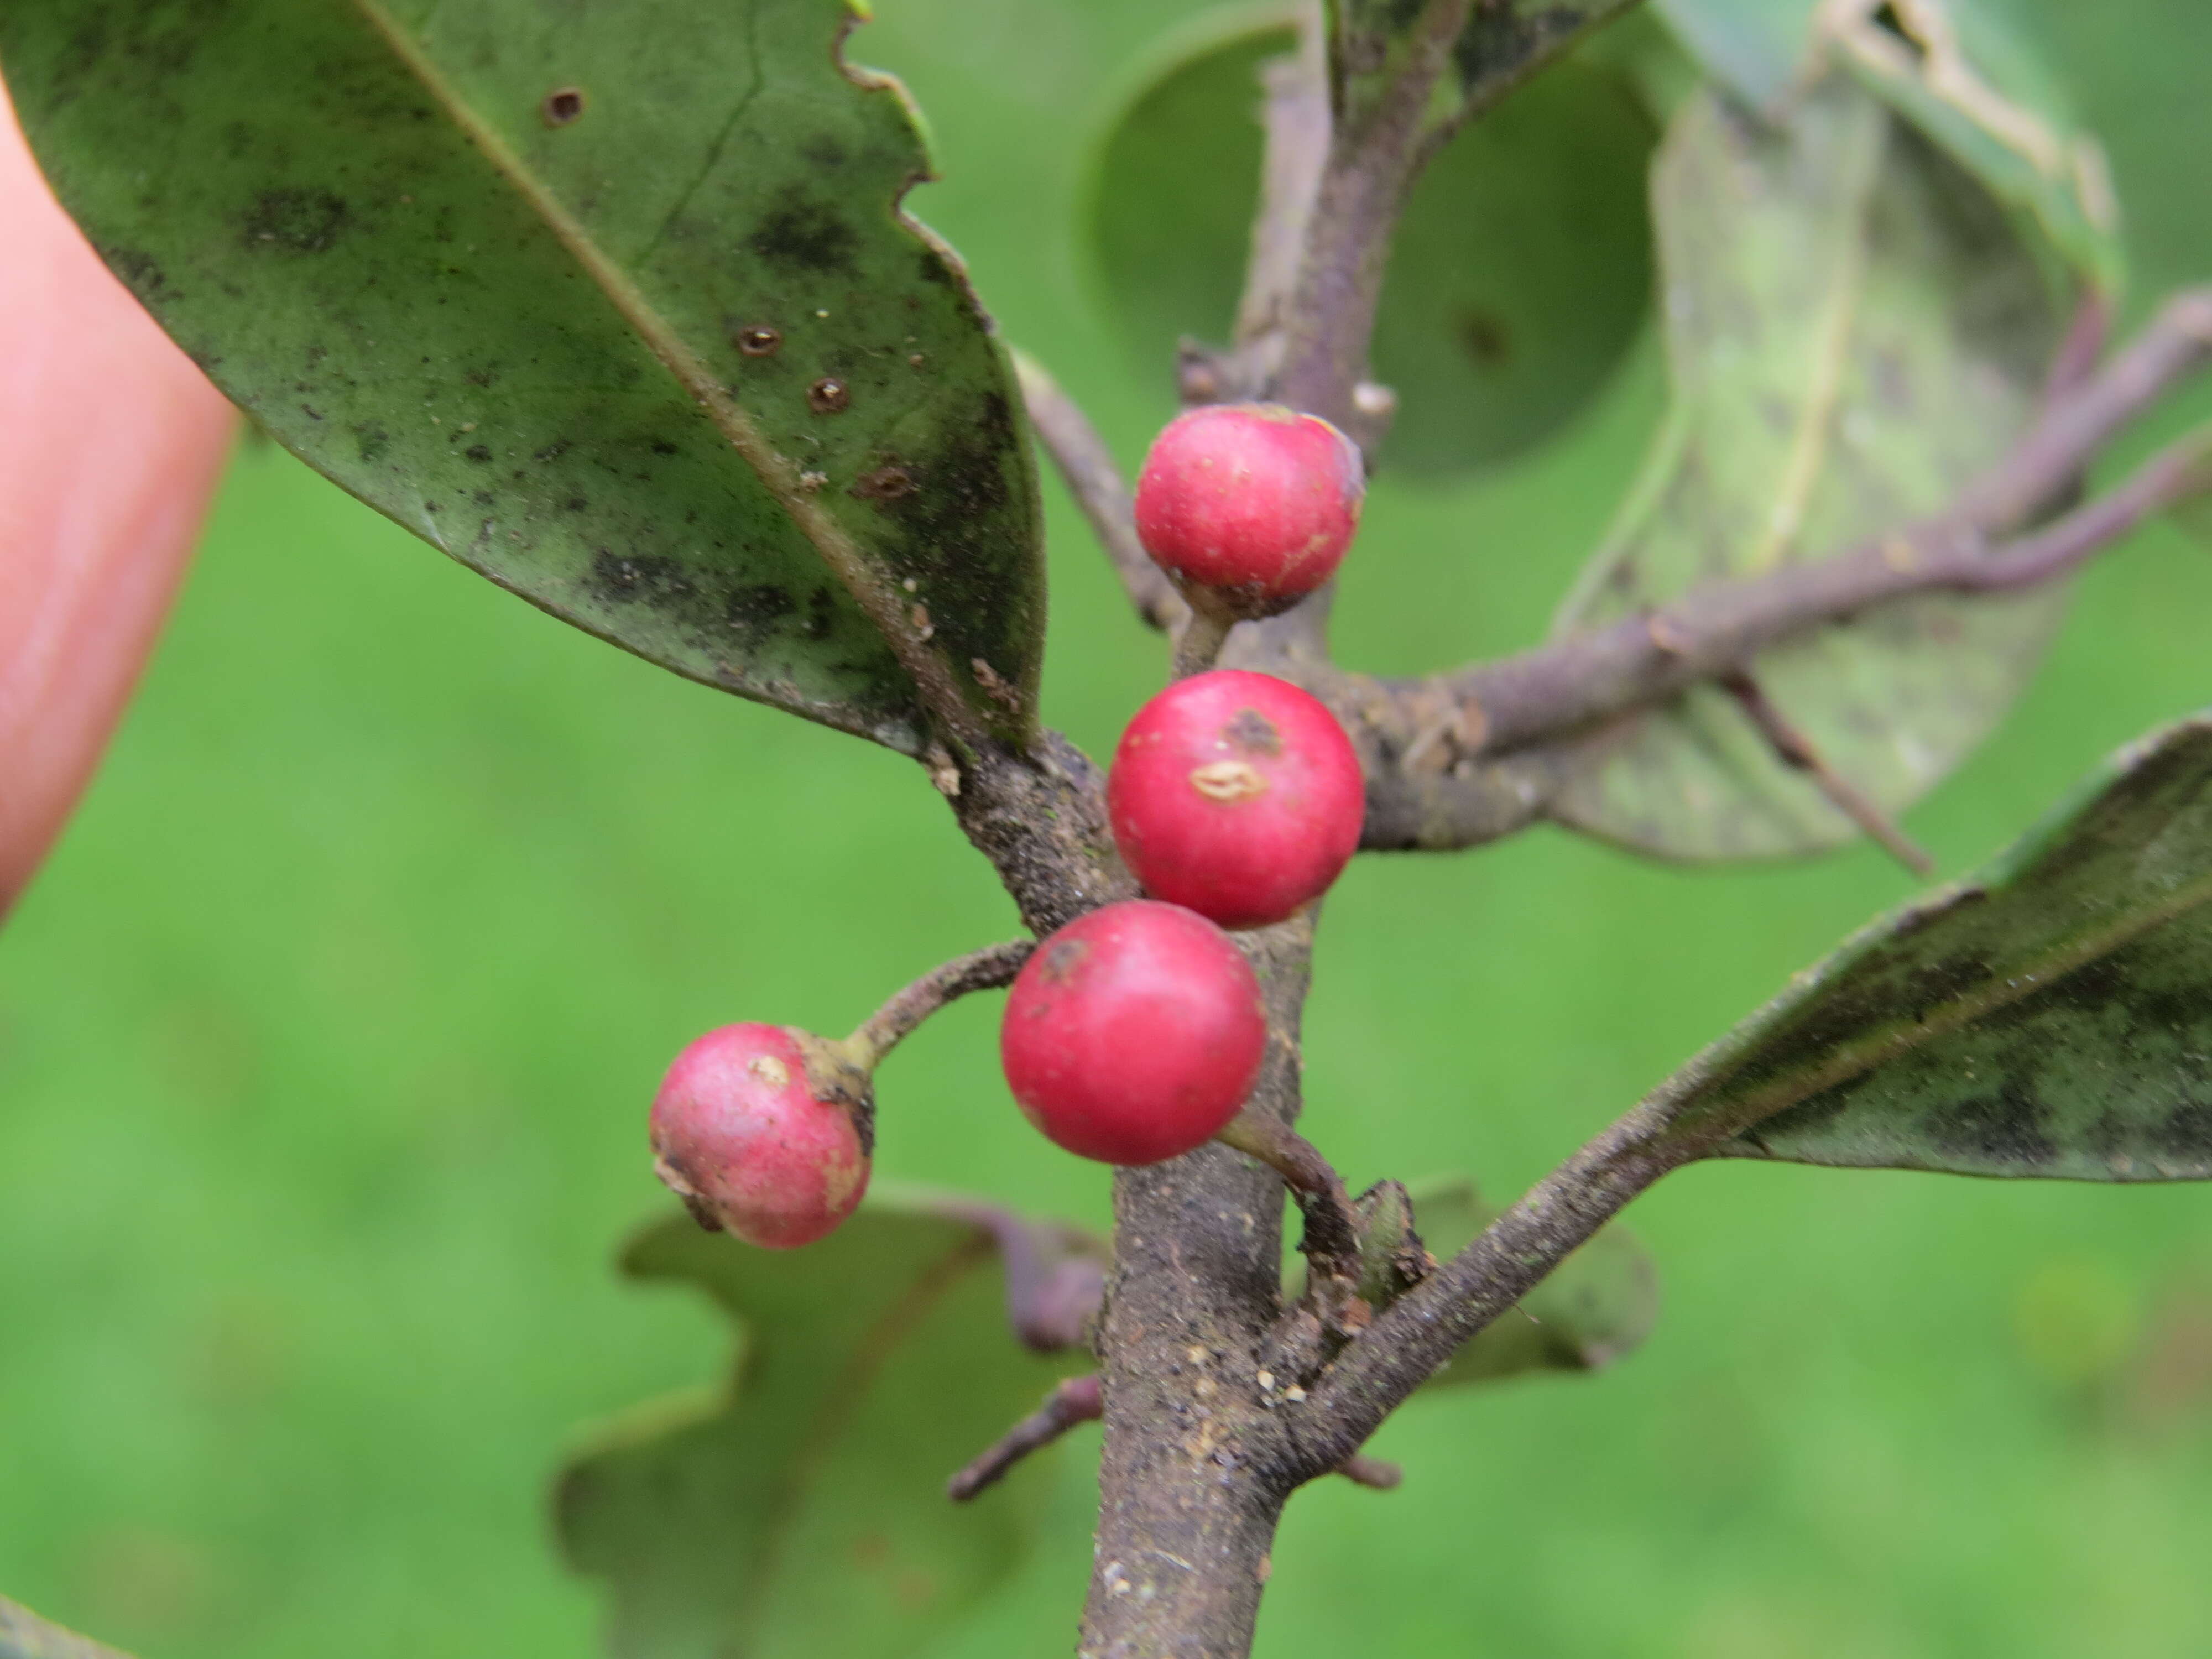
x,y
747,1142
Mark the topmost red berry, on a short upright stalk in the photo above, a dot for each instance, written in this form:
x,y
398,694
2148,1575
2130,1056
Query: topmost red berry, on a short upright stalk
x,y
1249,505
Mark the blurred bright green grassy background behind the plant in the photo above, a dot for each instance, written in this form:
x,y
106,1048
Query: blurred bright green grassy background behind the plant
x,y
328,1034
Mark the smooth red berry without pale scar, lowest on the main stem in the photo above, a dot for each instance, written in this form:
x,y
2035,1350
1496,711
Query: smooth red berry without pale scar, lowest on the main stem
x,y
1134,1034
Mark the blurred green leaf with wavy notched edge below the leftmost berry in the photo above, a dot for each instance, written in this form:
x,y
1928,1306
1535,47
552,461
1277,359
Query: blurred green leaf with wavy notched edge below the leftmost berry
x,y
802,1510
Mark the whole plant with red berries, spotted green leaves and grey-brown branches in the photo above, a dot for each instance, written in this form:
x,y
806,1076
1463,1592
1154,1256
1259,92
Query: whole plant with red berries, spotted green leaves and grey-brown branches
x,y
618,306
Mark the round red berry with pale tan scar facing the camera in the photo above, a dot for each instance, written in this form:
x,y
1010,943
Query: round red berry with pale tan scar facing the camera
x,y
1235,795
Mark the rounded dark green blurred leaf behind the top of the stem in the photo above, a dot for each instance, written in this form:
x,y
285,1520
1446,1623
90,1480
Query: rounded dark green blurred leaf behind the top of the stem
x,y
1503,313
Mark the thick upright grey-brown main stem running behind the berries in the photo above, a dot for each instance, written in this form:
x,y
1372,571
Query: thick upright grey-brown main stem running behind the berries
x,y
1198,1461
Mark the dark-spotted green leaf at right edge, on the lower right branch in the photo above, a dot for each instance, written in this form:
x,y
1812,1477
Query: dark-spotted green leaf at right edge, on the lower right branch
x,y
2049,1016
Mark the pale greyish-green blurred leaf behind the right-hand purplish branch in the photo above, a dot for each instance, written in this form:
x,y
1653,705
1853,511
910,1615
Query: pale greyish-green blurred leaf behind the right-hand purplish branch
x,y
1855,331
